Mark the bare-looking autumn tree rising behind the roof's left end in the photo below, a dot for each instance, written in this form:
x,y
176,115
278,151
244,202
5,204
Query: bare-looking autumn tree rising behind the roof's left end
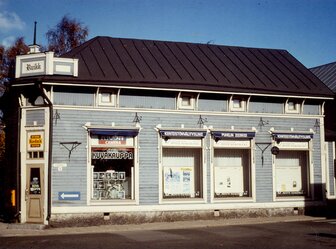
x,y
68,34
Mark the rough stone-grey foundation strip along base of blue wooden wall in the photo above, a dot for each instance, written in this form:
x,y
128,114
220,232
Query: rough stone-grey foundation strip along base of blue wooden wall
x,y
89,219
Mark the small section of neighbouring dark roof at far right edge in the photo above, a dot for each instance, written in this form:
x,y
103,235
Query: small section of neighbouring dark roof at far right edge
x,y
326,73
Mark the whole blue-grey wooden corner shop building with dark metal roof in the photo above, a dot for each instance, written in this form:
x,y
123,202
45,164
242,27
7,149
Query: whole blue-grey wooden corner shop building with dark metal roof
x,y
148,129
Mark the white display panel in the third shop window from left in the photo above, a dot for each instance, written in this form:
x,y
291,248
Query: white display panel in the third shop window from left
x,y
229,181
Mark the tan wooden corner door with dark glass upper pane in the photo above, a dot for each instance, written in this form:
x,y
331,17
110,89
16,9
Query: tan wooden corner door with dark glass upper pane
x,y
34,193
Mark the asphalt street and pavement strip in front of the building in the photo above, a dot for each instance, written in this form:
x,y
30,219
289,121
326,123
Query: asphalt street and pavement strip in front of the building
x,y
299,232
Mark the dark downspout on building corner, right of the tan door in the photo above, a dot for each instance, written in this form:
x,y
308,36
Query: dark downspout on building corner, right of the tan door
x,y
49,104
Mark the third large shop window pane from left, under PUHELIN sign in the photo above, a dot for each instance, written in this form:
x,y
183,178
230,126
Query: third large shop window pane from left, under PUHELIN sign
x,y
232,173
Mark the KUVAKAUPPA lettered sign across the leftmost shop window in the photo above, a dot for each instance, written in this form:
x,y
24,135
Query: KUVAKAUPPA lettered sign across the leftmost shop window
x,y
111,154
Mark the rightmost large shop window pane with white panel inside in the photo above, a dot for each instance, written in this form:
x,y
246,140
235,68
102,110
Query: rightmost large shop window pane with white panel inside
x,y
291,173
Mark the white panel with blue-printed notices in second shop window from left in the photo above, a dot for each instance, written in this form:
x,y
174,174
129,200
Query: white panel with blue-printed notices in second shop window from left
x,y
178,182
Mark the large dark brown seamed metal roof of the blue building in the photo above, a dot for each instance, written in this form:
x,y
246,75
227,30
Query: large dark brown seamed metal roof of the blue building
x,y
190,66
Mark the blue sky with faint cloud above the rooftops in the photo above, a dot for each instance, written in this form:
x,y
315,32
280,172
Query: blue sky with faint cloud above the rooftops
x,y
305,28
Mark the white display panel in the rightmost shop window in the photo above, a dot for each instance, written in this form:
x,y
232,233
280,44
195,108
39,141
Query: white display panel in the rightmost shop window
x,y
288,180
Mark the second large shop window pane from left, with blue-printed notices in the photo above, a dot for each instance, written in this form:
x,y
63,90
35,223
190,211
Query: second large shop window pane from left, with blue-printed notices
x,y
182,174
